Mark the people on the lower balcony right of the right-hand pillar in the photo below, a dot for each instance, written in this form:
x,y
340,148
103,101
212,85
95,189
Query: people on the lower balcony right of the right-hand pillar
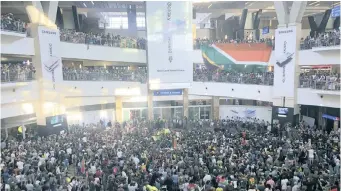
x,y
322,80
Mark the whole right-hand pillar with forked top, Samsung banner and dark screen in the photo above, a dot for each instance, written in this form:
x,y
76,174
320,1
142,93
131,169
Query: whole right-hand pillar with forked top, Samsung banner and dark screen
x,y
286,71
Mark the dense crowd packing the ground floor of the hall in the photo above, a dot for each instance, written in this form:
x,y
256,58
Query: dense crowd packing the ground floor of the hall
x,y
233,154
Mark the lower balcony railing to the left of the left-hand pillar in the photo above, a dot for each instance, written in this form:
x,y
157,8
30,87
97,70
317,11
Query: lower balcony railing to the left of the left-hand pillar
x,y
17,76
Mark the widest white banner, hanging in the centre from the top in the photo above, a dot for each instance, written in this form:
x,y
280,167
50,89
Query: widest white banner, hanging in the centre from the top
x,y
170,42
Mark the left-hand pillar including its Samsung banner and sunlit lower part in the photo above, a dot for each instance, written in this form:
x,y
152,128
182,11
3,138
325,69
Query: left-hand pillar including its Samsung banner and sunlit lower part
x,y
48,64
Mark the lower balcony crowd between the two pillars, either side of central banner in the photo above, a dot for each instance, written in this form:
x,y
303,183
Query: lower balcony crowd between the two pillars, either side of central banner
x,y
140,74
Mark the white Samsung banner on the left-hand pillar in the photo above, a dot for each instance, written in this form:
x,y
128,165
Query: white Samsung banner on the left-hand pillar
x,y
51,62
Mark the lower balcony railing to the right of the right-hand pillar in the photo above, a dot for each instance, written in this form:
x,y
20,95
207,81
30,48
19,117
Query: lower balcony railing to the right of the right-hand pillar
x,y
320,84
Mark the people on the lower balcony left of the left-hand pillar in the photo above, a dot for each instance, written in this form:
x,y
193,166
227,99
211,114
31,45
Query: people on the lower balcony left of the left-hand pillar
x,y
18,72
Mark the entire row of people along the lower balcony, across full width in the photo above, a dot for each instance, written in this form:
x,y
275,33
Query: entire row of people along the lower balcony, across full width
x,y
316,79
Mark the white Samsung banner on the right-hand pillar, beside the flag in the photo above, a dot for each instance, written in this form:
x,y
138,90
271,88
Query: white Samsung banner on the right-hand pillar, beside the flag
x,y
285,50
